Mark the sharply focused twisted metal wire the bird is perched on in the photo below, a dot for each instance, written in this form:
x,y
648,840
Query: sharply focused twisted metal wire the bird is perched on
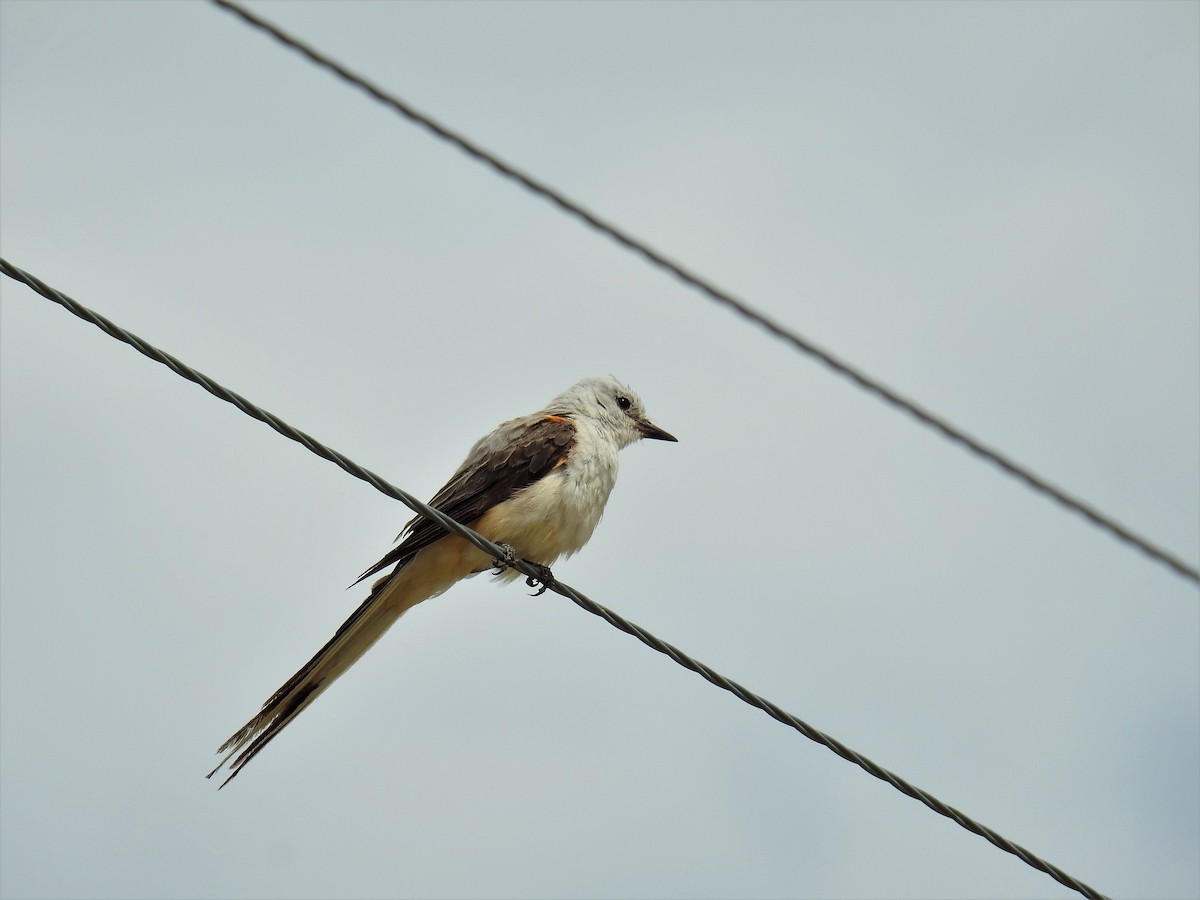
x,y
499,553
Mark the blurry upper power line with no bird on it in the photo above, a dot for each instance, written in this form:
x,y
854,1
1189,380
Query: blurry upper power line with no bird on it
x,y
873,386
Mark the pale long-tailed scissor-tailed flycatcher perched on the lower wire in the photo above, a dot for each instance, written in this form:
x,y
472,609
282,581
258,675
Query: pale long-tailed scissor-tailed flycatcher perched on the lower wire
x,y
537,484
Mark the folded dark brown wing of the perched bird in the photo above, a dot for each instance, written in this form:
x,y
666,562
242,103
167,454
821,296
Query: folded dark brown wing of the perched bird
x,y
485,481
